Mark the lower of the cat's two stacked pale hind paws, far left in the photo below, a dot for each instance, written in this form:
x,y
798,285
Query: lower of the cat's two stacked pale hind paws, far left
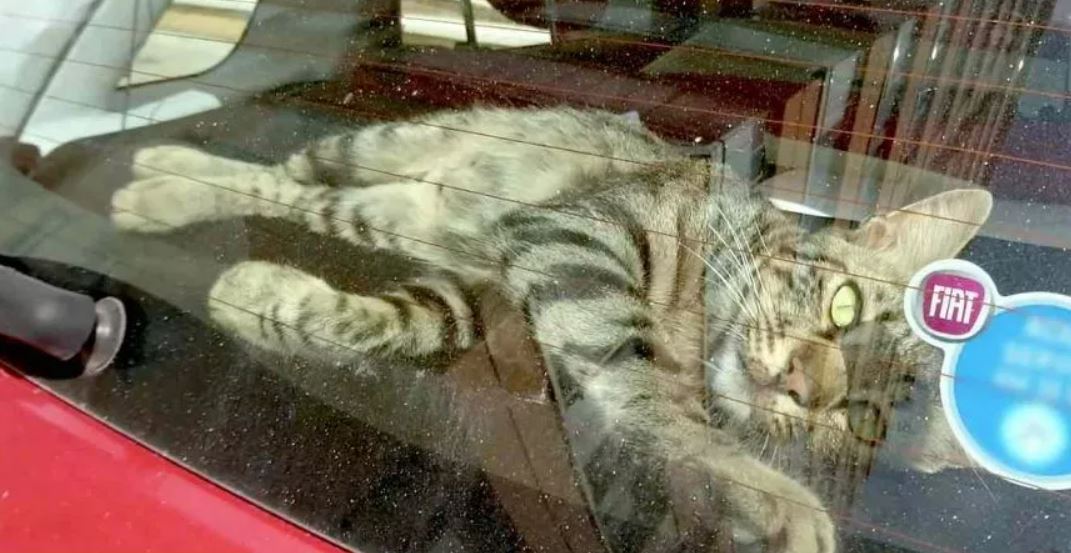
x,y
161,204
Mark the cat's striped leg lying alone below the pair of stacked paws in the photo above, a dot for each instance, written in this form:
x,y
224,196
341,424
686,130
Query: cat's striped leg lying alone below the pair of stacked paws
x,y
284,310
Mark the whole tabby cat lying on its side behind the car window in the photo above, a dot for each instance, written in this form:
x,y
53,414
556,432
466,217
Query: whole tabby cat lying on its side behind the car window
x,y
608,238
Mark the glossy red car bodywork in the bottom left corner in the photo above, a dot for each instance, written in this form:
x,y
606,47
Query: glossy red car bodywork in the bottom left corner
x,y
69,483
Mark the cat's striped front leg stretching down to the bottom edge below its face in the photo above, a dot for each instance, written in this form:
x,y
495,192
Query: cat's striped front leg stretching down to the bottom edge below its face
x,y
631,420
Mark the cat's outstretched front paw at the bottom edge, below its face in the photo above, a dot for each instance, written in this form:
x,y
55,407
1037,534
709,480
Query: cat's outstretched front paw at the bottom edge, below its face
x,y
786,515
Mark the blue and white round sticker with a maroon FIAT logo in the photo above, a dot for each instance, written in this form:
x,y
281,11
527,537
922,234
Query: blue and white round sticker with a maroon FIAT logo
x,y
1006,382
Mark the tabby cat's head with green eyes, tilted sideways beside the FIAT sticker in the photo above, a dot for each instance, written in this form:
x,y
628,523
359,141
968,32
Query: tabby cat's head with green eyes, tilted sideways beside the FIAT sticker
x,y
816,349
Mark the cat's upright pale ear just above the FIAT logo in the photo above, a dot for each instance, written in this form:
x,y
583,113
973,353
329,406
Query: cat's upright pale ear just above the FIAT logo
x,y
934,229
